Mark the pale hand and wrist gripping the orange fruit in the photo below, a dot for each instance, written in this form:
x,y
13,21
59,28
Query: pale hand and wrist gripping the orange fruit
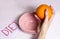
x,y
45,26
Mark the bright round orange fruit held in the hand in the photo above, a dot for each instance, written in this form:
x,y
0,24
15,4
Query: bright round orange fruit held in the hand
x,y
40,11
